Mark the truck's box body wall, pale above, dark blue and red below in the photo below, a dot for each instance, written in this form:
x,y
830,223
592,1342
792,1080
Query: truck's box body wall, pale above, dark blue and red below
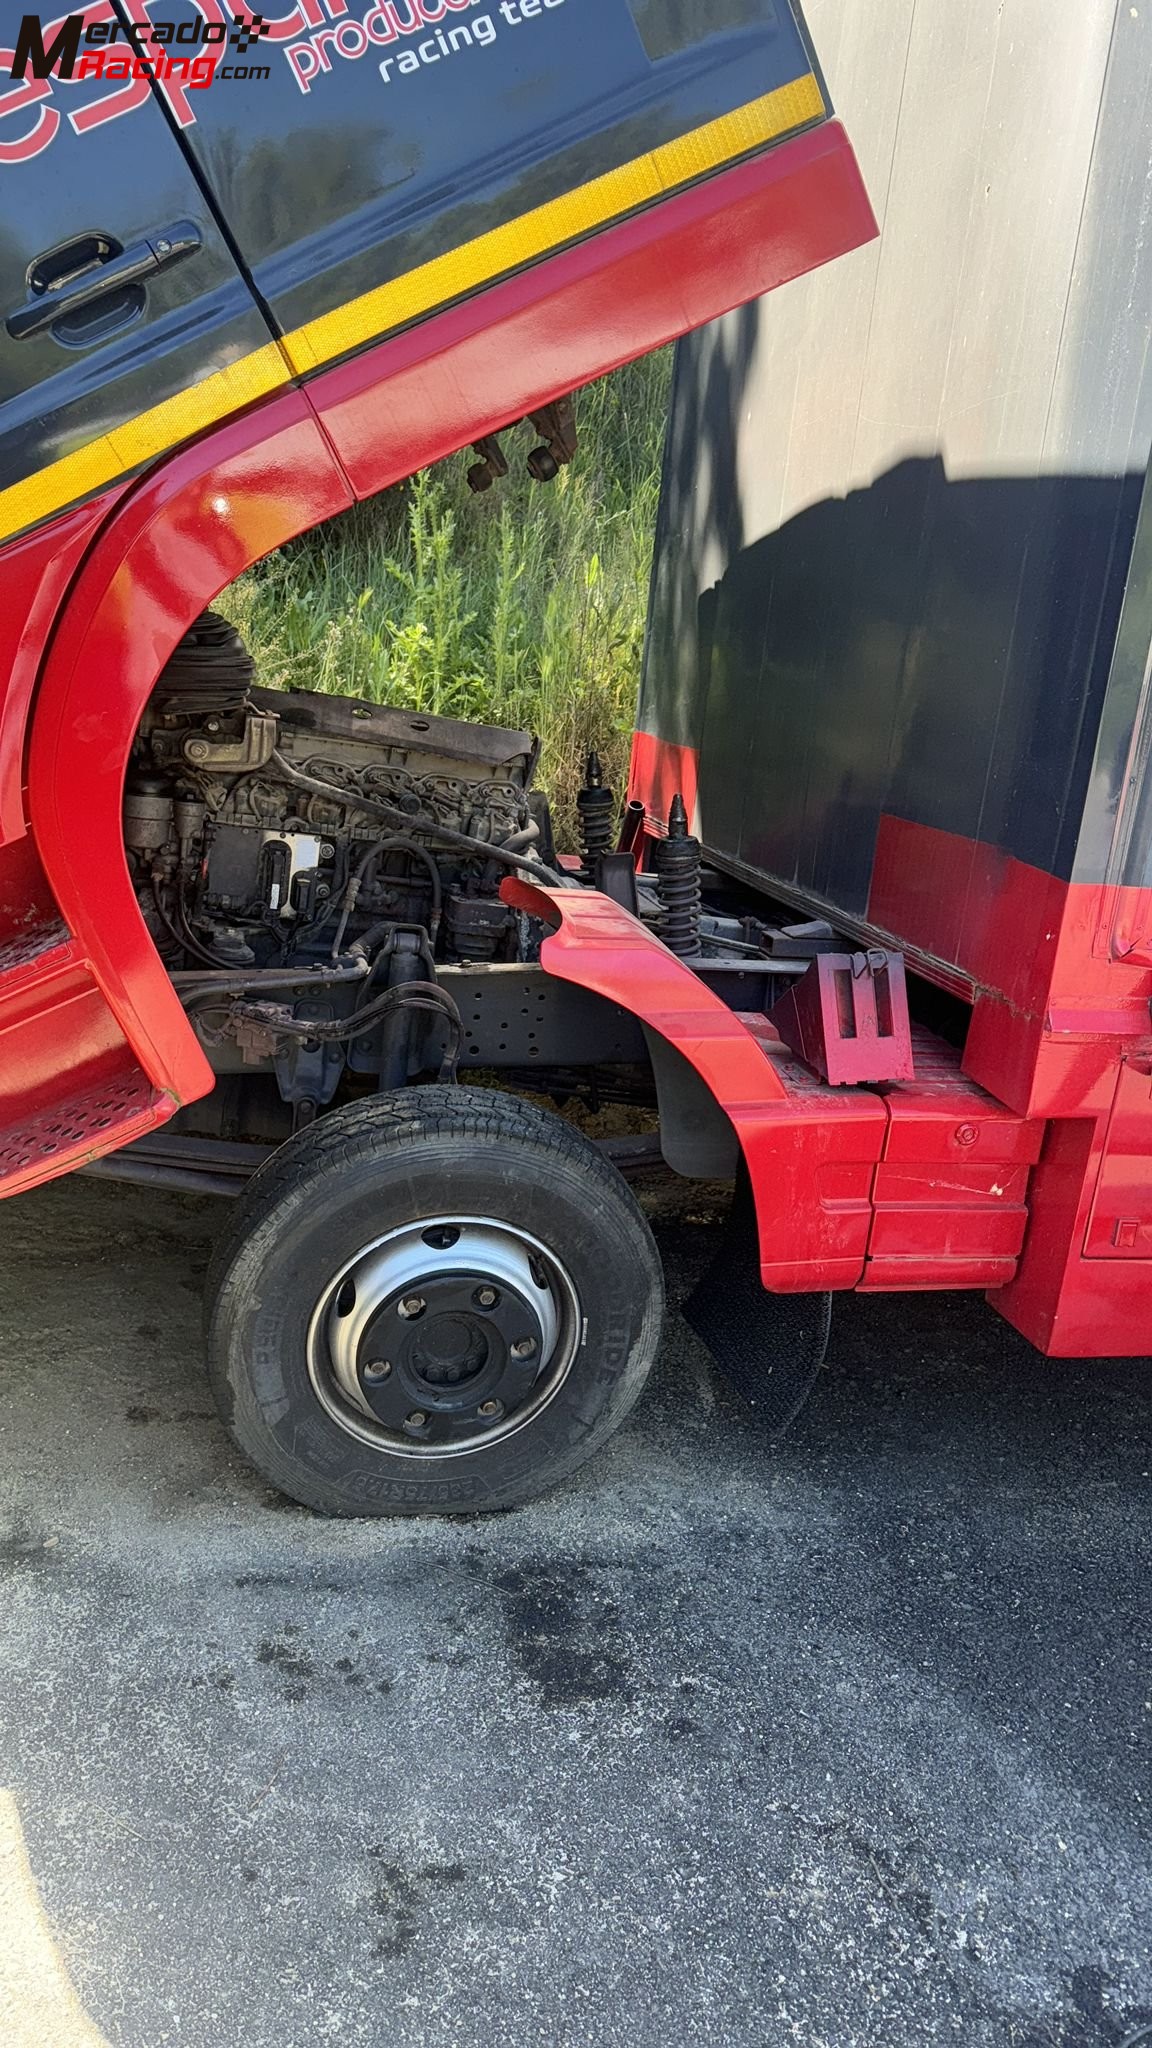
x,y
891,626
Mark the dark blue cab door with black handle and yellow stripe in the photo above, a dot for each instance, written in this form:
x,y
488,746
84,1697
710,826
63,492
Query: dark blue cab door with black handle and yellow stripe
x,y
126,323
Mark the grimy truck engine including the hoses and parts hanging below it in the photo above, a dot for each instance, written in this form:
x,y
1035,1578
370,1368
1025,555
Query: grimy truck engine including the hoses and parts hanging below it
x,y
327,853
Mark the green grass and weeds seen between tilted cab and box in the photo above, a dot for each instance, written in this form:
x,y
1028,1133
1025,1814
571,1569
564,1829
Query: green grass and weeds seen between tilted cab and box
x,y
524,607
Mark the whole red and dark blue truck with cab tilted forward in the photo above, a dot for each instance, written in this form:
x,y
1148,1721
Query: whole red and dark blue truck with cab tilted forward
x,y
263,267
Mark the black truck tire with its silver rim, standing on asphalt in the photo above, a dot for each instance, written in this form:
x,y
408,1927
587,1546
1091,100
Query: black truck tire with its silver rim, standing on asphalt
x,y
440,1302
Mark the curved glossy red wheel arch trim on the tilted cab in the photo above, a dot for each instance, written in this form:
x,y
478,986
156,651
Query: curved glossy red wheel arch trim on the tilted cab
x,y
183,536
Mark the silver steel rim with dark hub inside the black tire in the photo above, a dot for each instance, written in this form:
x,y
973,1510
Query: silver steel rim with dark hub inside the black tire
x,y
407,1355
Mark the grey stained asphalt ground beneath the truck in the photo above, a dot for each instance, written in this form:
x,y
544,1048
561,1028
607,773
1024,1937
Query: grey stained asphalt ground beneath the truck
x,y
841,1742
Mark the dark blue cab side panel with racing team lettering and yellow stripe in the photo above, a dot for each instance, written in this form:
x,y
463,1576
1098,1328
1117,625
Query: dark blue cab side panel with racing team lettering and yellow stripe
x,y
401,155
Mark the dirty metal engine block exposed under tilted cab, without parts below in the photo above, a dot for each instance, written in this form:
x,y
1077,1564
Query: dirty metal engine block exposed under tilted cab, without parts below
x,y
241,863
